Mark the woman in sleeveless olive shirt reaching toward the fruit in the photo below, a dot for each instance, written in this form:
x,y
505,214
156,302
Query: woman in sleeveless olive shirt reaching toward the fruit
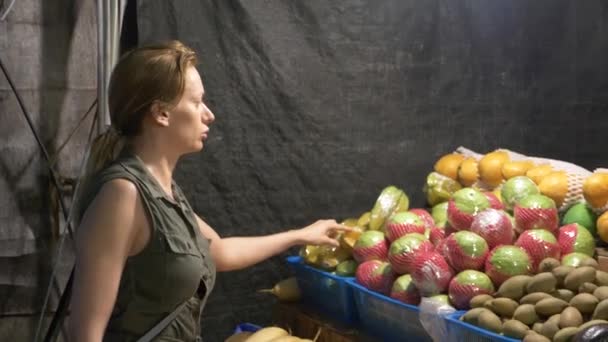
x,y
142,253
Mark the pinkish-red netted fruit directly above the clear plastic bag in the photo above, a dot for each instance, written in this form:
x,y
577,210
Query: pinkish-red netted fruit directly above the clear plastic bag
x,y
431,273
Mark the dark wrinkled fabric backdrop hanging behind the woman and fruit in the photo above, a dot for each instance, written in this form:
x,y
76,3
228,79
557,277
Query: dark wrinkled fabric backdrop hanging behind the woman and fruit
x,y
321,104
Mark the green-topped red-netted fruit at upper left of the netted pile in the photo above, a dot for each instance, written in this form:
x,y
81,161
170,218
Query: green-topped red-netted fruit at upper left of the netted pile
x,y
464,205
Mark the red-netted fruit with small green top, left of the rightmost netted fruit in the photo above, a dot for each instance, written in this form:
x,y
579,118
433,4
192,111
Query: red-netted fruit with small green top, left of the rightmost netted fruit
x,y
539,244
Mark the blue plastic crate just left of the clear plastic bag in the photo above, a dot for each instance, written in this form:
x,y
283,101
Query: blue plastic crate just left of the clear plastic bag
x,y
386,318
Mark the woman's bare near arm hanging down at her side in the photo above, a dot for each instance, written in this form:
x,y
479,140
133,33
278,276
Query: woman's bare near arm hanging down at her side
x,y
105,238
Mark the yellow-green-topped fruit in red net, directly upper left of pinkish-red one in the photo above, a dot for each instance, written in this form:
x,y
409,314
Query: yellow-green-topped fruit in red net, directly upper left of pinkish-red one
x,y
403,250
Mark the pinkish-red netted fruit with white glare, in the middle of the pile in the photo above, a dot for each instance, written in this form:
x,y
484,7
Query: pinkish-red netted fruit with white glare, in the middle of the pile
x,y
494,226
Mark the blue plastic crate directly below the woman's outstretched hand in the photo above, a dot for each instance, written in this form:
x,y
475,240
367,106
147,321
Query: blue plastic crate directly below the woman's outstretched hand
x,y
326,292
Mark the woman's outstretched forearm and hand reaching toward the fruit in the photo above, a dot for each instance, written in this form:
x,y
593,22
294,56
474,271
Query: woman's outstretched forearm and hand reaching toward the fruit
x,y
240,252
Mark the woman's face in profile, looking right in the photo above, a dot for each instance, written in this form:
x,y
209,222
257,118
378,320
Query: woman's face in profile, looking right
x,y
190,119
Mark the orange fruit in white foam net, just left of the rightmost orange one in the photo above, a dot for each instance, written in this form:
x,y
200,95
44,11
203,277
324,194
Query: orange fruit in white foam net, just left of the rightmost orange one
x,y
562,187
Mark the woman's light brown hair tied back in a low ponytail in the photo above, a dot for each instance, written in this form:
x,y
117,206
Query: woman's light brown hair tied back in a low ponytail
x,y
144,76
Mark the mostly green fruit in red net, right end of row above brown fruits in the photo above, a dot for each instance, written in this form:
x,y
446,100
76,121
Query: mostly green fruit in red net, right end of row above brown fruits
x,y
507,261
